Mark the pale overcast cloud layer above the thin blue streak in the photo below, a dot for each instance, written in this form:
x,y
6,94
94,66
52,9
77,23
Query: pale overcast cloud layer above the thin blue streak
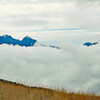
x,y
22,15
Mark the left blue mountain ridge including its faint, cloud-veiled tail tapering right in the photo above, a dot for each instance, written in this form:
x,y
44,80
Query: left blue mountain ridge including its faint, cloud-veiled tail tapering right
x,y
26,41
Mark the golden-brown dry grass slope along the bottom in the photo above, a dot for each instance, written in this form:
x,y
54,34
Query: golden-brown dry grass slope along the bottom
x,y
14,91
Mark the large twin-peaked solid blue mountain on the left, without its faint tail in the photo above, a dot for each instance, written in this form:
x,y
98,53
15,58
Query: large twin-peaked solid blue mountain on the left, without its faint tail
x,y
26,41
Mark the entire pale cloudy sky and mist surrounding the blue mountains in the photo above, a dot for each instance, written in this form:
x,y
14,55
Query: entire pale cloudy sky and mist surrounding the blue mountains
x,y
74,67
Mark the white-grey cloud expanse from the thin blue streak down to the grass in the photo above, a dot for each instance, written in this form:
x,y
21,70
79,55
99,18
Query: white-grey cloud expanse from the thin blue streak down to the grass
x,y
74,67
